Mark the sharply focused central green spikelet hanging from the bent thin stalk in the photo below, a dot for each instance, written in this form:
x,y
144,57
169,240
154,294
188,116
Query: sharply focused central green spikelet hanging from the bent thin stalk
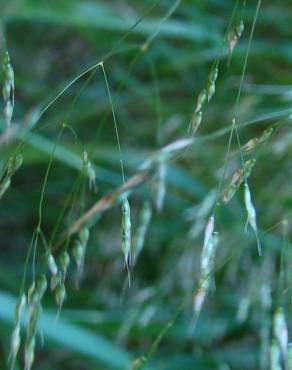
x,y
126,234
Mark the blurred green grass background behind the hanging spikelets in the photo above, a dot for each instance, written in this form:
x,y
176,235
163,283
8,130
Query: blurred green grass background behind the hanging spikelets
x,y
157,56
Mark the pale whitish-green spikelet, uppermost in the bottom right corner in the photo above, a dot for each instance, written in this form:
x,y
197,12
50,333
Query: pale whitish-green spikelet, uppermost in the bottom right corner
x,y
281,332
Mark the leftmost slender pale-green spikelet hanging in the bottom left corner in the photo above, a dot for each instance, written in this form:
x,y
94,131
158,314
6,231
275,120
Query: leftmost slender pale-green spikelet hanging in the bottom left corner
x,y
15,337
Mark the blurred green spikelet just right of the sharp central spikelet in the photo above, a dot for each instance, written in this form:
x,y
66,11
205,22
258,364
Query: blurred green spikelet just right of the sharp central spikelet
x,y
143,224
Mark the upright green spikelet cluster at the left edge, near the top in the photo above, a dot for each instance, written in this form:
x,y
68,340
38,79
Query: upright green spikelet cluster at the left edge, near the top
x,y
8,88
